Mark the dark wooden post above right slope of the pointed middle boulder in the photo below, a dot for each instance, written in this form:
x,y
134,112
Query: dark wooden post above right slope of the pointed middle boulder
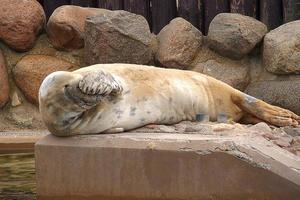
x,y
192,11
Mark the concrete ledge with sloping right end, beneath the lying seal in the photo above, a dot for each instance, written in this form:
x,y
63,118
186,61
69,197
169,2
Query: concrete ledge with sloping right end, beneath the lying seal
x,y
165,166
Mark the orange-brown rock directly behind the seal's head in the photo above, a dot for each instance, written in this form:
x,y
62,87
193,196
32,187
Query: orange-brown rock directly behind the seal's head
x,y
32,69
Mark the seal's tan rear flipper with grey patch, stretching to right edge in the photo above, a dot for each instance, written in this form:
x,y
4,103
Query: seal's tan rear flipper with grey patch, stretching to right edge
x,y
272,114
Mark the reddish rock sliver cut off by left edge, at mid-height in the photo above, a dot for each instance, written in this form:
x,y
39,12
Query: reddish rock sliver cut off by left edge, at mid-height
x,y
4,87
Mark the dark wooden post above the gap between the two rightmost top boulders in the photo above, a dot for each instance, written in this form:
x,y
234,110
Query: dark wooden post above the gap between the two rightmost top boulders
x,y
271,13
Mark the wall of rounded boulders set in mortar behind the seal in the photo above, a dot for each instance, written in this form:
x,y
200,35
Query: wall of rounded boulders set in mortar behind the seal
x,y
237,50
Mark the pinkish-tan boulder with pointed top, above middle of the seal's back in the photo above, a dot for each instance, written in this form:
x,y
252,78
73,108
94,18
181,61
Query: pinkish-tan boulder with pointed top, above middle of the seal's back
x,y
178,44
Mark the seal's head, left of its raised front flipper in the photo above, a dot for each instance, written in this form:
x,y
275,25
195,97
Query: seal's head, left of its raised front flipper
x,y
54,105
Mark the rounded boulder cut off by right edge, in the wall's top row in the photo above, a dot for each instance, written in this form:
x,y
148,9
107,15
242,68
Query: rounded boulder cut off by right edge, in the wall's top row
x,y
281,53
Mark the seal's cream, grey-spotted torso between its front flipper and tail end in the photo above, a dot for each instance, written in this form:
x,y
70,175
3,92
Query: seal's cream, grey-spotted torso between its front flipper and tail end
x,y
160,96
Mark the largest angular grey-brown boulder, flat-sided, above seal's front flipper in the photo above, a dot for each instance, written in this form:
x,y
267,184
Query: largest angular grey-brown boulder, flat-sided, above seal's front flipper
x,y
118,37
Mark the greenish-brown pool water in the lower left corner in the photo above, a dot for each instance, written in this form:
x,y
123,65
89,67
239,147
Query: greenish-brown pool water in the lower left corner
x,y
17,177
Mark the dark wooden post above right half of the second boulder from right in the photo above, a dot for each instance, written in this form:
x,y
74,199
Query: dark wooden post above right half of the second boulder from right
x,y
245,7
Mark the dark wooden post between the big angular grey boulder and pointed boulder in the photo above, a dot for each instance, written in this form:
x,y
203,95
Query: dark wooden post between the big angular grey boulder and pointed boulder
x,y
163,11
